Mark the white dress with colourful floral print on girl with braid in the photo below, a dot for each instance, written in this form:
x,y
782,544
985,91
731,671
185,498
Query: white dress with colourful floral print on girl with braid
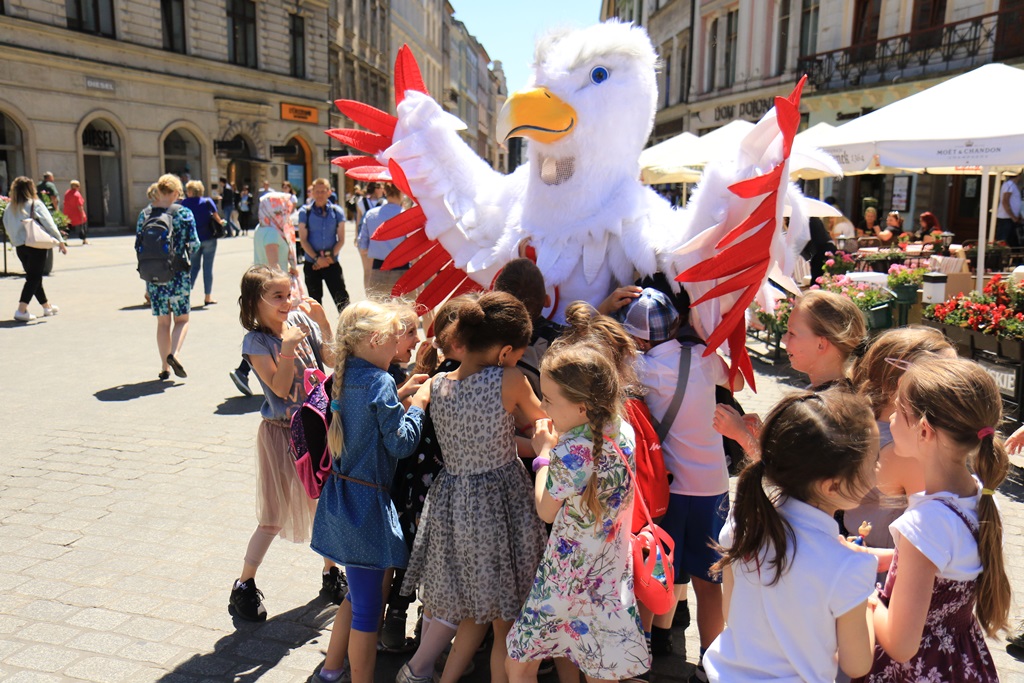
x,y
582,605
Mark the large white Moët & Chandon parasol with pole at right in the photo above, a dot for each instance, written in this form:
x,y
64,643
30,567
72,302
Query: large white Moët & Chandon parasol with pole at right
x,y
963,125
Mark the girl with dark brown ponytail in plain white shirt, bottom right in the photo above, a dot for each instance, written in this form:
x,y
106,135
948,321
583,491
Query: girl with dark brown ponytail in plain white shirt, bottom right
x,y
796,599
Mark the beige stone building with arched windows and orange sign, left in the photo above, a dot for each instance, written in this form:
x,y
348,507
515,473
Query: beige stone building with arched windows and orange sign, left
x,y
116,93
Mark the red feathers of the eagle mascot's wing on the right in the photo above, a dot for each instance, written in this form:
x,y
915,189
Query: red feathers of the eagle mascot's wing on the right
x,y
743,263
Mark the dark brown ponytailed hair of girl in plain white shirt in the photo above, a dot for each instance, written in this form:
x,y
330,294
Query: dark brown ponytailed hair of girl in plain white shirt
x,y
806,439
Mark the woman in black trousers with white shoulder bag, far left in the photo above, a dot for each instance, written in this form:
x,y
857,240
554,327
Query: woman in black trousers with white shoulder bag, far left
x,y
25,204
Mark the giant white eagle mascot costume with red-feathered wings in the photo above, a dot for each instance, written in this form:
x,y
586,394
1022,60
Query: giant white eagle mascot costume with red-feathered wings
x,y
578,206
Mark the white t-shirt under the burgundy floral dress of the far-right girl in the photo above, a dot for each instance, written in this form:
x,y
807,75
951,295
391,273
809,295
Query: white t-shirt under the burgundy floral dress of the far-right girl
x,y
941,535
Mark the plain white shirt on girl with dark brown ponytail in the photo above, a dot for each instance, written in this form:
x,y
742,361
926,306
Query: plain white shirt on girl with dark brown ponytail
x,y
787,632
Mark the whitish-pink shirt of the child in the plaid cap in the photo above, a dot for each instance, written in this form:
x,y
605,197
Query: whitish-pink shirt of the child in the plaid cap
x,y
694,451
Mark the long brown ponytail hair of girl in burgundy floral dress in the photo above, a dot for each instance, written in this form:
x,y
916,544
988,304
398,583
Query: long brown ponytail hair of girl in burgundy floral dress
x,y
960,399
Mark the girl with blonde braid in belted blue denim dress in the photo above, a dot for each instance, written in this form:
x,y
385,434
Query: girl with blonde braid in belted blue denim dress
x,y
357,525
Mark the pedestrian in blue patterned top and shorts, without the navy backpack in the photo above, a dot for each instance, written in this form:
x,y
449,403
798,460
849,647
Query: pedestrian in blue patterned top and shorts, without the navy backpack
x,y
172,300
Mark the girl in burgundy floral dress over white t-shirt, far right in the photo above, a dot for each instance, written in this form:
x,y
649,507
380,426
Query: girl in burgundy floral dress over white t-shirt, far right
x,y
948,582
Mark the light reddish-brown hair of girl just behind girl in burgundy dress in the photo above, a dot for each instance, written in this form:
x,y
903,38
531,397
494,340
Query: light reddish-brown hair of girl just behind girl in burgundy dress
x,y
877,374
